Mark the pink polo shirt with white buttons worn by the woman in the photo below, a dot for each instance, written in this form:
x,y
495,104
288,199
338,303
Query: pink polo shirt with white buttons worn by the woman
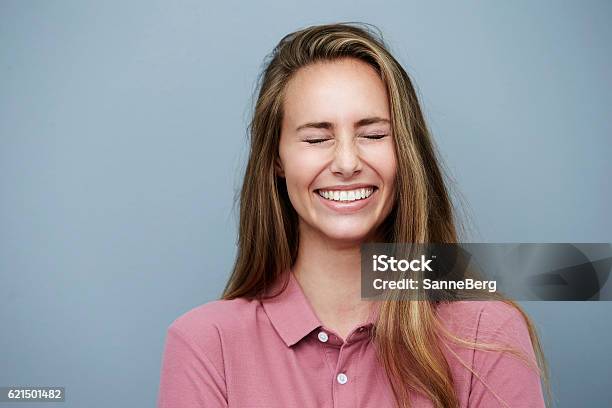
x,y
277,354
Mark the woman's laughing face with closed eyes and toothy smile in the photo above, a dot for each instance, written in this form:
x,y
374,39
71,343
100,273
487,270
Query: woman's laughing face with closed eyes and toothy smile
x,y
336,149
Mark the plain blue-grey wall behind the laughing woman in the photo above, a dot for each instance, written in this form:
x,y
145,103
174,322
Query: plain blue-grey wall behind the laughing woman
x,y
122,141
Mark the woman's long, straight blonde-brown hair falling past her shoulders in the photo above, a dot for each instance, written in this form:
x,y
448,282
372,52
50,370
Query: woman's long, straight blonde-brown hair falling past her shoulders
x,y
268,236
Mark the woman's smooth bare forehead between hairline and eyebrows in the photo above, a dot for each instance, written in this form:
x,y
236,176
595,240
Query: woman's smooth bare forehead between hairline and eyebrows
x,y
335,91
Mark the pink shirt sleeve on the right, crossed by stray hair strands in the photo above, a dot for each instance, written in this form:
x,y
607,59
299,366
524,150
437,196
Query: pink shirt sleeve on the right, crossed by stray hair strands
x,y
503,379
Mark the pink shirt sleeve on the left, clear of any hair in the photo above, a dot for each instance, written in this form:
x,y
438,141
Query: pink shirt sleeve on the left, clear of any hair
x,y
188,377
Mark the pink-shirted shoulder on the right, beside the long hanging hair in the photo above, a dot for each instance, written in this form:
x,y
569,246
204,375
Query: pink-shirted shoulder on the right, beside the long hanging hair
x,y
503,368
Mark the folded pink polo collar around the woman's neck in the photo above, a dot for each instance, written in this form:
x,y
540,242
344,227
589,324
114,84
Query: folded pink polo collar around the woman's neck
x,y
291,313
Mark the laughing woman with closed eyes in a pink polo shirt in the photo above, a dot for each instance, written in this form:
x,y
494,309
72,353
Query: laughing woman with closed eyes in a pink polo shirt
x,y
340,155
